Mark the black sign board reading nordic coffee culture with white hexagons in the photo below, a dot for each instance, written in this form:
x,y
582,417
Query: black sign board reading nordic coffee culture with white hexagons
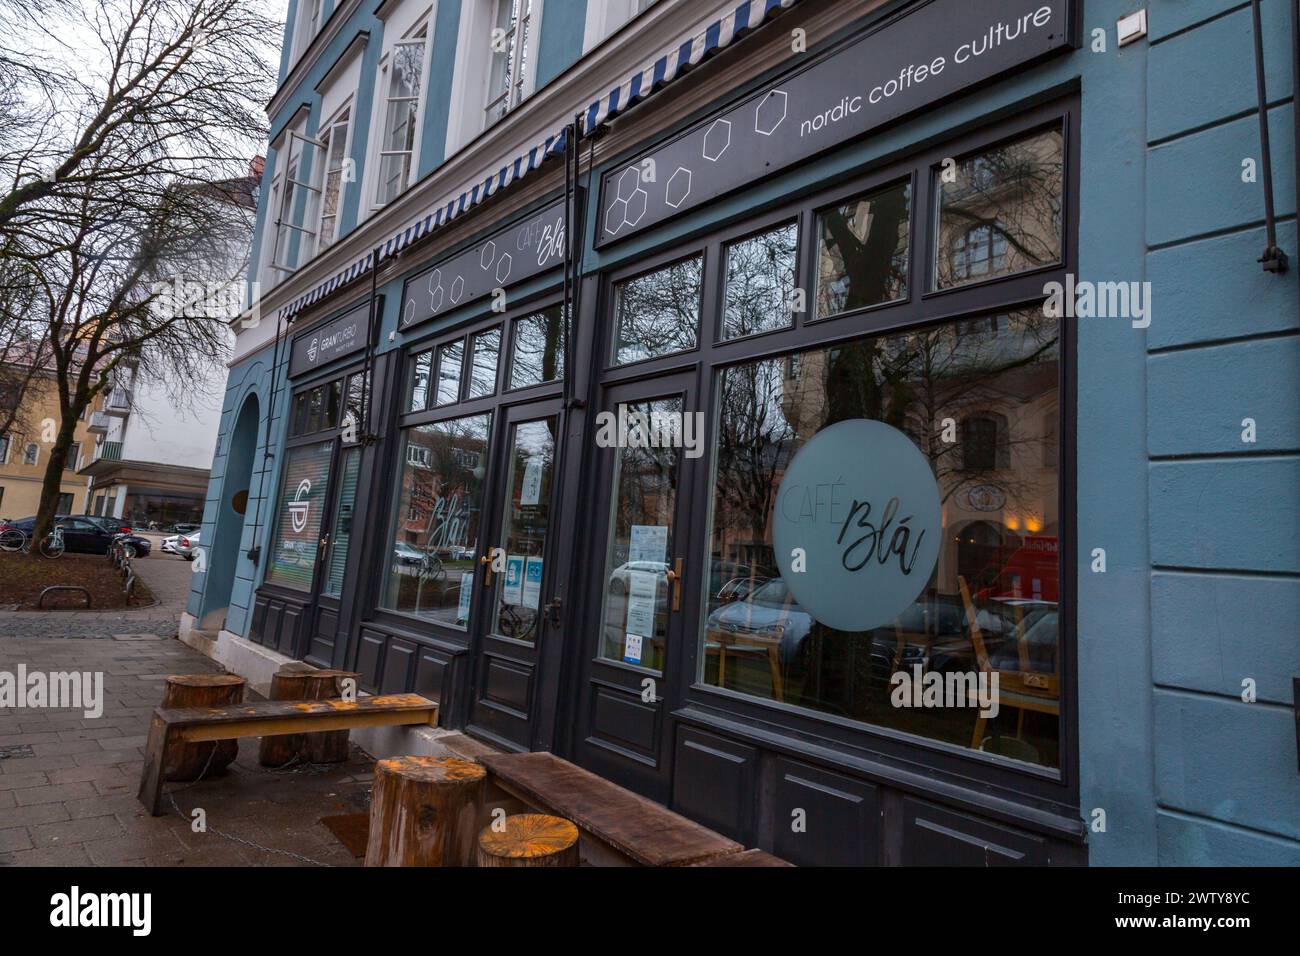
x,y
935,51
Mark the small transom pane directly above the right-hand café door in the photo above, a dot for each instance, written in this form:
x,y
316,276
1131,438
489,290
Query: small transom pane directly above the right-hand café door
x,y
658,314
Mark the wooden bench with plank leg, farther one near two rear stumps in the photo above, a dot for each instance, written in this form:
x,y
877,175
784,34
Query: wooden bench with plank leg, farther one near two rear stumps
x,y
271,719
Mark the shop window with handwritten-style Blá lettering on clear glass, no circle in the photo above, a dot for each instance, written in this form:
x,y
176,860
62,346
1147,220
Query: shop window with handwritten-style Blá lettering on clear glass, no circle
x,y
431,568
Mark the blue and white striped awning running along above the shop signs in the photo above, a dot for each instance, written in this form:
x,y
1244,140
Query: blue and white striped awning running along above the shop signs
x,y
640,85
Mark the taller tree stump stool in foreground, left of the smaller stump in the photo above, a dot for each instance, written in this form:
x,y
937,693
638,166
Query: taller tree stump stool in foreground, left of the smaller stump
x,y
424,812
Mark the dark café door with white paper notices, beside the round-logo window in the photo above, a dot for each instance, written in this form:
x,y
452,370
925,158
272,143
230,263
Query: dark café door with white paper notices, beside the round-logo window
x,y
638,585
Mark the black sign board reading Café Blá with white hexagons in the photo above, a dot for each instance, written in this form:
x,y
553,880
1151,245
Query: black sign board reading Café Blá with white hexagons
x,y
532,246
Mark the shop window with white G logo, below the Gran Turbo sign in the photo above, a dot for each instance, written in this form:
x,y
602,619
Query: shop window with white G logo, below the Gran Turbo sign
x,y
302,507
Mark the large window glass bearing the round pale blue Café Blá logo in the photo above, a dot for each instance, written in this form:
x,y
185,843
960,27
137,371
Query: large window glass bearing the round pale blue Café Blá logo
x,y
990,607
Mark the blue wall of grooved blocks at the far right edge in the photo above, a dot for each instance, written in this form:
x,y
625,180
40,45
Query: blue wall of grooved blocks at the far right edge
x,y
1223,348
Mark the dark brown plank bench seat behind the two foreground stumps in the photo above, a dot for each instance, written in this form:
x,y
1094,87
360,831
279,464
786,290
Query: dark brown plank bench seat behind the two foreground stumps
x,y
636,829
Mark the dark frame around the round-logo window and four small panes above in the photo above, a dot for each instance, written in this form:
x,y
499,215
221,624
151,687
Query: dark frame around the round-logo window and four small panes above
x,y
850,743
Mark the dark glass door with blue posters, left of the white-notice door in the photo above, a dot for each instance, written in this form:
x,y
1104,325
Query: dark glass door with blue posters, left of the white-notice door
x,y
517,583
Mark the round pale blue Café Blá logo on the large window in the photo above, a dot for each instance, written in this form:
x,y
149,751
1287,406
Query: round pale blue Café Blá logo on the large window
x,y
861,504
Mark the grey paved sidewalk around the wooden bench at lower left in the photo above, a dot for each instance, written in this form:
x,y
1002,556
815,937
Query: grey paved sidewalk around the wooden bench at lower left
x,y
68,782
